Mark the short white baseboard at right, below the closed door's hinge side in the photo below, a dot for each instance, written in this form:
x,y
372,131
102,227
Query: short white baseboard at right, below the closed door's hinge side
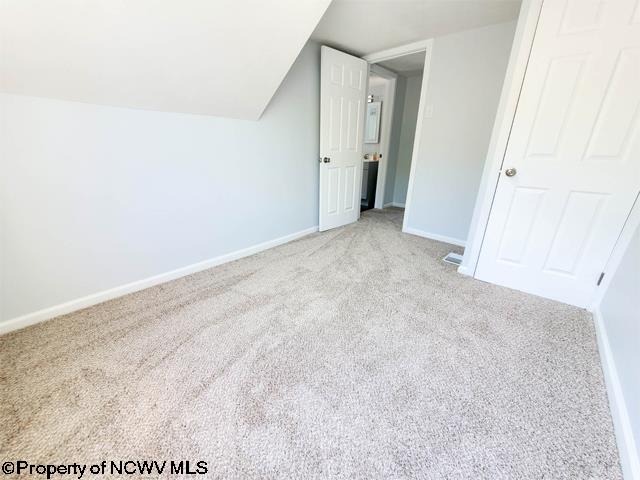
x,y
621,422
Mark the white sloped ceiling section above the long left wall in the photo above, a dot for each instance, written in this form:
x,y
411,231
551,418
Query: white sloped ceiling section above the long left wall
x,y
215,57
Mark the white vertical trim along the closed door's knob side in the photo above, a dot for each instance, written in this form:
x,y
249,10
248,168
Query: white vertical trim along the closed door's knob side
x,y
514,77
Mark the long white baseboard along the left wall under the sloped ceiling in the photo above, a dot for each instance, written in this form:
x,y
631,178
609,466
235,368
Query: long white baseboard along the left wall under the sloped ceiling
x,y
99,297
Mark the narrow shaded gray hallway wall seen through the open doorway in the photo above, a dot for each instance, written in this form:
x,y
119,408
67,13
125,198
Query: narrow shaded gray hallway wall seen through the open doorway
x,y
407,137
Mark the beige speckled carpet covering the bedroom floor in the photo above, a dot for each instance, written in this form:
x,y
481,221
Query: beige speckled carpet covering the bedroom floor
x,y
355,353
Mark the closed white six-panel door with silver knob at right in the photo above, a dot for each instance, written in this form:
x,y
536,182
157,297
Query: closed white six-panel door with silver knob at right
x,y
575,148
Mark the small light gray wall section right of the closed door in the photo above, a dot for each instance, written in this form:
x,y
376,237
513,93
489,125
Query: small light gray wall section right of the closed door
x,y
620,311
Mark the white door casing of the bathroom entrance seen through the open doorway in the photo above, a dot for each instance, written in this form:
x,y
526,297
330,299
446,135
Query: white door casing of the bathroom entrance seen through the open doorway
x,y
385,131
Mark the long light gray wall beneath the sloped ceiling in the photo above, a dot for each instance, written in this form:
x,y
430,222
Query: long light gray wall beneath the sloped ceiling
x,y
95,197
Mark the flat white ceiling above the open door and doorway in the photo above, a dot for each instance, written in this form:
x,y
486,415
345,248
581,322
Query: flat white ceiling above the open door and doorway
x,y
362,27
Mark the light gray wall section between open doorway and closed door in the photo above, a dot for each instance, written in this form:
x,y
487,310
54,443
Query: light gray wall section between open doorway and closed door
x,y
465,80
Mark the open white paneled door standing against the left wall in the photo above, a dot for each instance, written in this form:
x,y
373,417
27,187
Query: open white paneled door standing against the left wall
x,y
343,91
